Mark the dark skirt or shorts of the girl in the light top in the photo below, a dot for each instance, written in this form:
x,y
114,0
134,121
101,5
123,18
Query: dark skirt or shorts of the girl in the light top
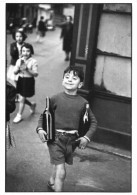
x,y
26,86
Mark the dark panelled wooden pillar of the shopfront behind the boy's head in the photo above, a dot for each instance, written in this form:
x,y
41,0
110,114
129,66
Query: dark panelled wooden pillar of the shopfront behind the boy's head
x,y
86,22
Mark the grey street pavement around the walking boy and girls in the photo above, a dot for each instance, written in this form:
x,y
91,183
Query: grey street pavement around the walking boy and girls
x,y
98,168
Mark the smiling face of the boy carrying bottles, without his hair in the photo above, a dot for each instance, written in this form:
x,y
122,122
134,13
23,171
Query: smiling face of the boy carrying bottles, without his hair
x,y
71,82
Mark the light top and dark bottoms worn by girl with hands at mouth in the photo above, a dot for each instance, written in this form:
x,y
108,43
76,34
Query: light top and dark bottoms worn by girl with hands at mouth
x,y
26,82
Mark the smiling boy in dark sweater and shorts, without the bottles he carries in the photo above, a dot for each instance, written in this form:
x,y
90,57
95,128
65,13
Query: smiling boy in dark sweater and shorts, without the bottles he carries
x,y
68,107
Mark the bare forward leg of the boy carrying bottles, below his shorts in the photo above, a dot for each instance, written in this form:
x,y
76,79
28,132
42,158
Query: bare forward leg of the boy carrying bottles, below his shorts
x,y
60,177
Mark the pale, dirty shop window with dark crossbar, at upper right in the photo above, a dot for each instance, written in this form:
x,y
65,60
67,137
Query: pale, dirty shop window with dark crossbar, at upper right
x,y
113,59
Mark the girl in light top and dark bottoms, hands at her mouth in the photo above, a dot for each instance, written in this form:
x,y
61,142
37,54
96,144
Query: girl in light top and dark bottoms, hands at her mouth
x,y
27,68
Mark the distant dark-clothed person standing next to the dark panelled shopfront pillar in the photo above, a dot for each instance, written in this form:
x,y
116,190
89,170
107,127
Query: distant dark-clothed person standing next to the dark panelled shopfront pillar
x,y
67,35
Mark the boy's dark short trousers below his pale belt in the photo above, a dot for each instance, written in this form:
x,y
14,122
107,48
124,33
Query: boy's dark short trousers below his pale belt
x,y
61,150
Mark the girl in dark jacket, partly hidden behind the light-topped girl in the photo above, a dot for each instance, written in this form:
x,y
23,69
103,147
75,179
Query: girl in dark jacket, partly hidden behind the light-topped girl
x,y
15,52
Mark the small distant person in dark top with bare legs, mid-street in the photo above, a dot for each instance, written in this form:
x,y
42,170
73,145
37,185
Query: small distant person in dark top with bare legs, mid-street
x,y
41,30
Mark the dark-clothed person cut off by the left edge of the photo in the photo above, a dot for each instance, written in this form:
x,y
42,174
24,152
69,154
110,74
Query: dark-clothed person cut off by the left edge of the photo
x,y
10,107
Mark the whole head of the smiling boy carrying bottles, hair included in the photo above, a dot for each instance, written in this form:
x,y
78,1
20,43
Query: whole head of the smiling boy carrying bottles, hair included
x,y
72,79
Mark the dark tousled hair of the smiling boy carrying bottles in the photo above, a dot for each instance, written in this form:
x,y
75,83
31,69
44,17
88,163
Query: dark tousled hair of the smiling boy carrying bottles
x,y
76,71
